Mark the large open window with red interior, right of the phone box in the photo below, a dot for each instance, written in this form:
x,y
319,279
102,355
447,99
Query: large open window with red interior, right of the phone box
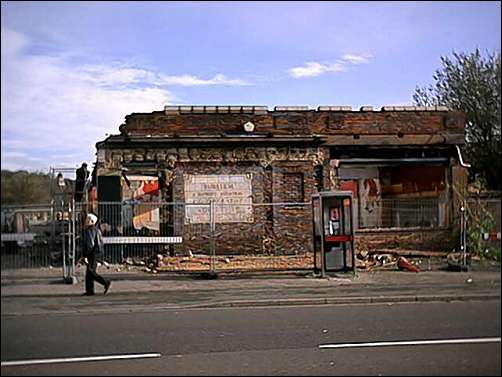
x,y
397,196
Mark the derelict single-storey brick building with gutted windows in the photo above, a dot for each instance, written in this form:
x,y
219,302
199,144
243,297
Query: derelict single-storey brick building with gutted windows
x,y
394,160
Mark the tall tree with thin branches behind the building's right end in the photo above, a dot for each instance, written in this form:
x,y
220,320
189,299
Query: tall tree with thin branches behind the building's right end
x,y
471,83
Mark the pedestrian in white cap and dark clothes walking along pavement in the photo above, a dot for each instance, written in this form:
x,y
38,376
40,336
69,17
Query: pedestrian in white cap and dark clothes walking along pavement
x,y
93,253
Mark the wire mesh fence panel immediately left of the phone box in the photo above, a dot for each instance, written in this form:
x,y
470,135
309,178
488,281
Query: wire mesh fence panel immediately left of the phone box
x,y
263,237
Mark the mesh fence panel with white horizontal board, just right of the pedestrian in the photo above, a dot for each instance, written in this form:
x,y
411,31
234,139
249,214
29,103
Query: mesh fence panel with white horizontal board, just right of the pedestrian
x,y
157,235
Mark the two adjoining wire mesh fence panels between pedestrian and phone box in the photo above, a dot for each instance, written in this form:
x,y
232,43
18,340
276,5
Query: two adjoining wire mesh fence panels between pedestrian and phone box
x,y
208,237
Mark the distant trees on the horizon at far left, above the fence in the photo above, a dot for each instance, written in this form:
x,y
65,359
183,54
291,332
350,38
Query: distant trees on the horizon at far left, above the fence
x,y
22,187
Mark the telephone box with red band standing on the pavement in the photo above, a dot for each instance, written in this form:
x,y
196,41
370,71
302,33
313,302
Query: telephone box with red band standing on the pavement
x,y
333,232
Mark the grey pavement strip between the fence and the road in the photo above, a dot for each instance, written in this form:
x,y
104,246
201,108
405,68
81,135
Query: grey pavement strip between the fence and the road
x,y
29,291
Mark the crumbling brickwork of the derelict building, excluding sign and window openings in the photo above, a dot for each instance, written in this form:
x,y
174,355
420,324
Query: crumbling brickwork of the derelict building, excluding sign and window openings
x,y
163,137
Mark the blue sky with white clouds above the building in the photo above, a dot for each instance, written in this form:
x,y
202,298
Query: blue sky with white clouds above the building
x,y
72,71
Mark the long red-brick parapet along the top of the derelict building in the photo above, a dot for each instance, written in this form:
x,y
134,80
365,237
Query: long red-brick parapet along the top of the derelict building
x,y
291,122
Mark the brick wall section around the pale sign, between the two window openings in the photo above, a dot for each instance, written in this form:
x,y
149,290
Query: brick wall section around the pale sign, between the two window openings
x,y
277,230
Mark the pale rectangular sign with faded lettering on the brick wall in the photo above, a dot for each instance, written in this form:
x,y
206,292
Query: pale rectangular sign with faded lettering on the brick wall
x,y
231,195
